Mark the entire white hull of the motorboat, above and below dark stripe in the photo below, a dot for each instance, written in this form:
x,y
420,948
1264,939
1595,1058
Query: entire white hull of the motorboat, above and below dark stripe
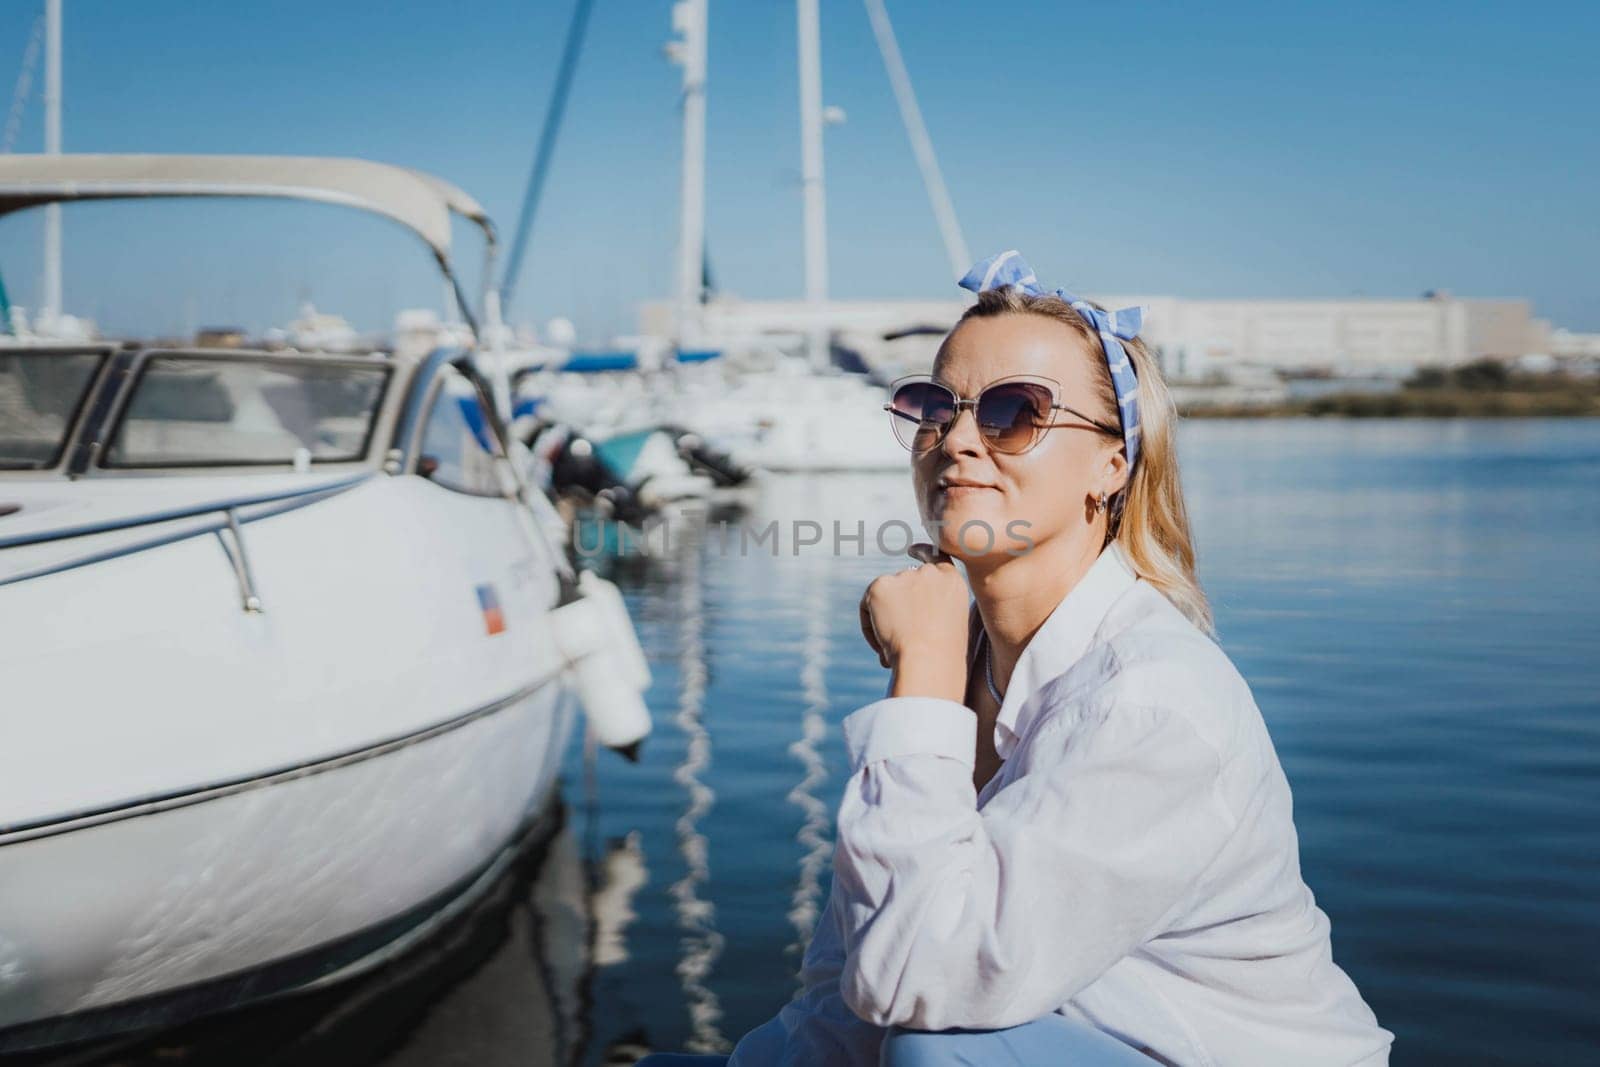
x,y
193,791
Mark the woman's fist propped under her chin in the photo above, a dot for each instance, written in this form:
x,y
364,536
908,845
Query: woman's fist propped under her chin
x,y
916,621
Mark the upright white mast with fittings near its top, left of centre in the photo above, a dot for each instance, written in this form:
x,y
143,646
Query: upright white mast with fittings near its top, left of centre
x,y
689,18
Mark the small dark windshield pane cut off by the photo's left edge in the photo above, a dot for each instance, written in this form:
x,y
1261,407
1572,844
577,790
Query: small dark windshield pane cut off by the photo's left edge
x,y
41,394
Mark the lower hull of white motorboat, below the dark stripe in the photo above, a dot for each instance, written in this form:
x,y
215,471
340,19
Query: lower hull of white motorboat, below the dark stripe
x,y
175,895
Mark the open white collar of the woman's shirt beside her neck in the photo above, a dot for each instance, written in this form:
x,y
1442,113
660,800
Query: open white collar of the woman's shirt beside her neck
x,y
1060,644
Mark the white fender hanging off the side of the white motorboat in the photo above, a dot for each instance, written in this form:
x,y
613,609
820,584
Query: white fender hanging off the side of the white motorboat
x,y
609,668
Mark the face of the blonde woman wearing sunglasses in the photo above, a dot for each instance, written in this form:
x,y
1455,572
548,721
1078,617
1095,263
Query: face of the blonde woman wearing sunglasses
x,y
964,484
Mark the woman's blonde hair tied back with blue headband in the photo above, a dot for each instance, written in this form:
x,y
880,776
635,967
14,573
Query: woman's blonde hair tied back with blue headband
x,y
1148,518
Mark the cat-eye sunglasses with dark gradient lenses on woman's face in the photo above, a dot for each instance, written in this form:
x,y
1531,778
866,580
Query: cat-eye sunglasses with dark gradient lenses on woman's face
x,y
1012,414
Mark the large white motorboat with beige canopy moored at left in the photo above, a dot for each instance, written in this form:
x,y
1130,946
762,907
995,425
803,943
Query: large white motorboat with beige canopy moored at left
x,y
289,650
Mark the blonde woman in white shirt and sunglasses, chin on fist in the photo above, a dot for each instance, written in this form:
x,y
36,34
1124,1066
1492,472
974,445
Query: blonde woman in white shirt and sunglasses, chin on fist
x,y
1066,837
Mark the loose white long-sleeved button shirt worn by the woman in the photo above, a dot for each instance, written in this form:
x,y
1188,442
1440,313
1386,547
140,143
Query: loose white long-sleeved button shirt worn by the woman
x,y
1134,865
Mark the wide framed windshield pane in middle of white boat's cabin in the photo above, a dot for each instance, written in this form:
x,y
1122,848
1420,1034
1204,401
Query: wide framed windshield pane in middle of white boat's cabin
x,y
212,410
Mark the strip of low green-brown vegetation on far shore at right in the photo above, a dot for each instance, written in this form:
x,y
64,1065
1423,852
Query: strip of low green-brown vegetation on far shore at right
x,y
1482,390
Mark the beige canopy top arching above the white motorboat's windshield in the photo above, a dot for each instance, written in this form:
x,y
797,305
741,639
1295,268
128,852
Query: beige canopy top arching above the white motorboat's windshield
x,y
417,201
